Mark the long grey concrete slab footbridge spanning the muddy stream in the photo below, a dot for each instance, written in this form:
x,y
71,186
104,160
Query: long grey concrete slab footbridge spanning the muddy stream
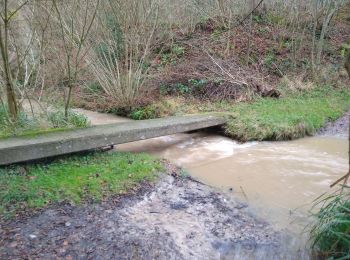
x,y
22,149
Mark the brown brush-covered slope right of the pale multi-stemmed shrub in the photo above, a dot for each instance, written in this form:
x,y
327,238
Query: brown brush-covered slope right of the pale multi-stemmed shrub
x,y
208,61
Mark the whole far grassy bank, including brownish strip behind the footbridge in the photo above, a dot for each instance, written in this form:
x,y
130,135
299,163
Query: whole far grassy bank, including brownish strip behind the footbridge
x,y
295,114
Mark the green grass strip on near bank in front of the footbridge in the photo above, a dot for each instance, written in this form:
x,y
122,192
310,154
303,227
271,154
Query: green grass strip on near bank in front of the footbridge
x,y
76,179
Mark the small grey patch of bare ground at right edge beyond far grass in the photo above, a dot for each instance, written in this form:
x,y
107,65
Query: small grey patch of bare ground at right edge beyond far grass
x,y
339,127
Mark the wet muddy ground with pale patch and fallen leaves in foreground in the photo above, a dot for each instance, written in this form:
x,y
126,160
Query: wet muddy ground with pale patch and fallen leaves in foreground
x,y
177,218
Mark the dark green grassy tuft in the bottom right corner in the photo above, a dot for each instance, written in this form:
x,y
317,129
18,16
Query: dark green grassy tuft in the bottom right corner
x,y
330,234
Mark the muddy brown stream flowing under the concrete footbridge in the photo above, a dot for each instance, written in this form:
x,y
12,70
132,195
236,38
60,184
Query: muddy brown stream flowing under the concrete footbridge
x,y
278,180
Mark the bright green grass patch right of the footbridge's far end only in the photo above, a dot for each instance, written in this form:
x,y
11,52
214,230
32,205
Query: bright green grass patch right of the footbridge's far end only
x,y
287,118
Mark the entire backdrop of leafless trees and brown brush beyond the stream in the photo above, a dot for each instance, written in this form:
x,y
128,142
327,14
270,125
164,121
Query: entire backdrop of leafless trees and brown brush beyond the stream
x,y
209,50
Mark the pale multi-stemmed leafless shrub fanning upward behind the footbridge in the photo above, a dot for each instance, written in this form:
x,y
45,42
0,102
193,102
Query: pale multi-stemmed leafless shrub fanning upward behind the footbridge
x,y
121,46
